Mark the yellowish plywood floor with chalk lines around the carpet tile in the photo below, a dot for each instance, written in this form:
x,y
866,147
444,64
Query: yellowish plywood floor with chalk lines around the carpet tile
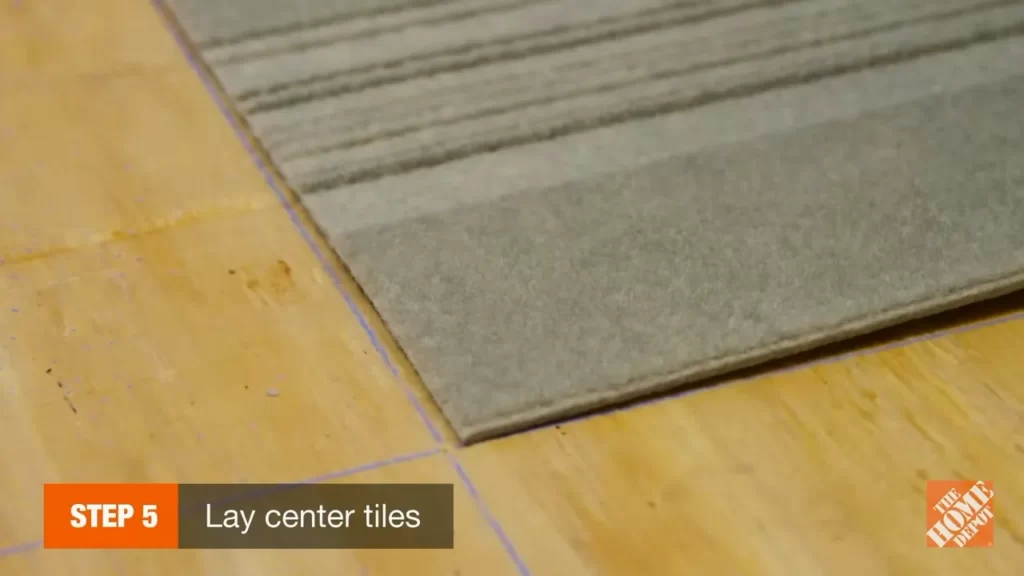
x,y
153,289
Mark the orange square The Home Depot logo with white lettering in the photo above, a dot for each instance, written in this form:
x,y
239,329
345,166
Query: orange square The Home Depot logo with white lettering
x,y
960,513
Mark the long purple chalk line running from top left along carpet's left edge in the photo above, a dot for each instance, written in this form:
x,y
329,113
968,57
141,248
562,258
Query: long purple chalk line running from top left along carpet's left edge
x,y
209,84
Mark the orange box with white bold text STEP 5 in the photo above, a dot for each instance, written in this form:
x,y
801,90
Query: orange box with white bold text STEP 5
x,y
111,516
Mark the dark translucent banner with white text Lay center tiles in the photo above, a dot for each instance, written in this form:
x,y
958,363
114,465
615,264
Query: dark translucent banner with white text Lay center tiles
x,y
335,516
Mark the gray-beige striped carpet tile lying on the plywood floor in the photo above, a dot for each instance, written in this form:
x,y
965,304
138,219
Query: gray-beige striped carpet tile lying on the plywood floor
x,y
558,205
